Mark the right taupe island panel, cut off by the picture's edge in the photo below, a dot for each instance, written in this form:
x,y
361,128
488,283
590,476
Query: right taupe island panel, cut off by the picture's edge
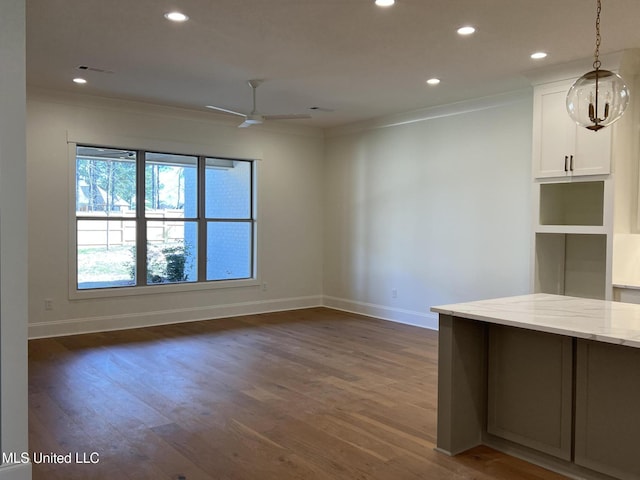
x,y
607,432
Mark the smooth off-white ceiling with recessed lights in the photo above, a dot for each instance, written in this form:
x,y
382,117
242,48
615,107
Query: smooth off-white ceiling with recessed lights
x,y
348,56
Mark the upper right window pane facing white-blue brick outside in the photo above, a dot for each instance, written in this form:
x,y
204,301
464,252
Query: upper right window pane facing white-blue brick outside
x,y
228,188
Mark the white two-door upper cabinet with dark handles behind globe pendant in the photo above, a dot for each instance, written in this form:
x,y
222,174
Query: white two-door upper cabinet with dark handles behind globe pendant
x,y
560,147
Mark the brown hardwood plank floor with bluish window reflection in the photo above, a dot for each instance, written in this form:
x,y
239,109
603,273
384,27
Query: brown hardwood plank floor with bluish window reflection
x,y
309,394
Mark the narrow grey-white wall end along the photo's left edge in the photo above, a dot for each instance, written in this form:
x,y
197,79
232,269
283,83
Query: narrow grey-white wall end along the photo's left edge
x,y
13,239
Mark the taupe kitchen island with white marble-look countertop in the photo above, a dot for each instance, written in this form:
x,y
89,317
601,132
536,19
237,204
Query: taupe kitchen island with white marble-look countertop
x,y
548,378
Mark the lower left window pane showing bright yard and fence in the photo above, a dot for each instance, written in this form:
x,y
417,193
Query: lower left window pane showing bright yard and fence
x,y
106,253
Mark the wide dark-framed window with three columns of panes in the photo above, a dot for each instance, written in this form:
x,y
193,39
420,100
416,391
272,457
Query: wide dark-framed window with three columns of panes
x,y
150,218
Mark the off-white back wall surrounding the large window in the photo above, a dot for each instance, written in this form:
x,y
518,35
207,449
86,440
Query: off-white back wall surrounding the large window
x,y
290,209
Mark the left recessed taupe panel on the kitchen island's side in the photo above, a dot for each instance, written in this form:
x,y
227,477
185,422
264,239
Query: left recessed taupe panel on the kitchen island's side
x,y
530,389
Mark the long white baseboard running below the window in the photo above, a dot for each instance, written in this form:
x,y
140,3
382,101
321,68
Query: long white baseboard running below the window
x,y
76,326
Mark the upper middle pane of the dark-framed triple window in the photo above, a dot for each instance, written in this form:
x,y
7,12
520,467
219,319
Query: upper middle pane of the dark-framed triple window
x,y
171,185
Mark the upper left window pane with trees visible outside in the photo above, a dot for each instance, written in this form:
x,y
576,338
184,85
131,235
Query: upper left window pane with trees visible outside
x,y
105,182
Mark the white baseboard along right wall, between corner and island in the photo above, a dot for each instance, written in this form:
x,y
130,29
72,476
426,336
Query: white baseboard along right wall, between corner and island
x,y
419,319
